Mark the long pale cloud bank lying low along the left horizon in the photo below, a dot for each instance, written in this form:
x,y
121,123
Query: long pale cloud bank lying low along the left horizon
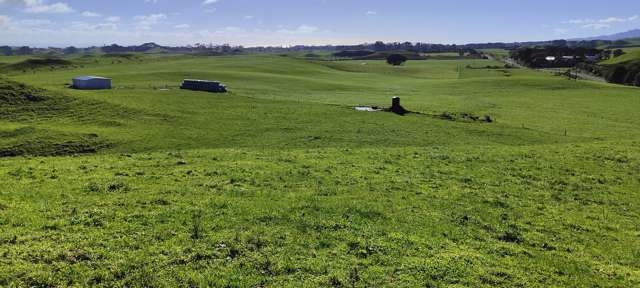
x,y
86,34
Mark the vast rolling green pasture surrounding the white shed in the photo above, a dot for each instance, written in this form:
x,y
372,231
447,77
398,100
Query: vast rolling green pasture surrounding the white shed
x,y
281,183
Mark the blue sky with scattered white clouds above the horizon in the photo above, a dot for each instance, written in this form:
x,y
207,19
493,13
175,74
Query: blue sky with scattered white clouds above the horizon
x,y
290,22
